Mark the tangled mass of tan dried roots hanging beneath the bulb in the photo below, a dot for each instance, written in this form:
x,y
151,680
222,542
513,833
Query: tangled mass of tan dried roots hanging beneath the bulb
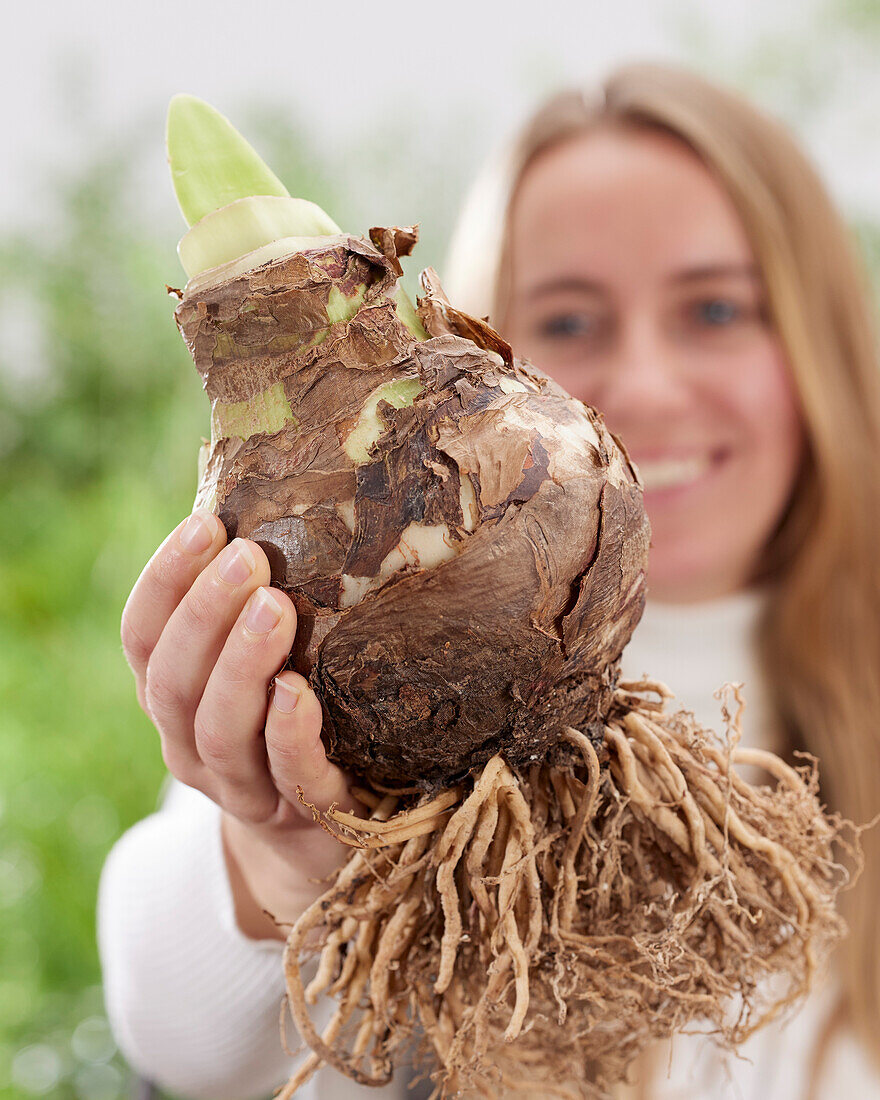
x,y
533,930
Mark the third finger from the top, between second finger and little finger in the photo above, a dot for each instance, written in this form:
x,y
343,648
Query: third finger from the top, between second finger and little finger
x,y
232,718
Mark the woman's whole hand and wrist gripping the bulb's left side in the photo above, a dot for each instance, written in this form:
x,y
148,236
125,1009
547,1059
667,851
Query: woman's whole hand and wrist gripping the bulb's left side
x,y
205,637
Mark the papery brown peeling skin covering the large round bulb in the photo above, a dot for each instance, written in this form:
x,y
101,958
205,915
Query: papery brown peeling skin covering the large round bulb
x,y
519,634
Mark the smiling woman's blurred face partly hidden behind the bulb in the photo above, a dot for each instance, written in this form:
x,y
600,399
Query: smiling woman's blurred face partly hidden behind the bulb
x,y
632,283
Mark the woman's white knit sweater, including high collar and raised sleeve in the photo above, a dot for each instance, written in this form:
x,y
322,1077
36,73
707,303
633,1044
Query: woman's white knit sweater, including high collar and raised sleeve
x,y
194,1004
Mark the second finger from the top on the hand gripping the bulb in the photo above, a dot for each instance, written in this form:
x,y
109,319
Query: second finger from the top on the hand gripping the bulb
x,y
191,644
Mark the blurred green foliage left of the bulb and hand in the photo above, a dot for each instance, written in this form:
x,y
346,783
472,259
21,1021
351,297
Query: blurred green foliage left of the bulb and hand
x,y
101,419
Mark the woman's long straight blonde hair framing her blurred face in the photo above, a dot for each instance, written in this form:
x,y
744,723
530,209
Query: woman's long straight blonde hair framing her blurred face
x,y
820,637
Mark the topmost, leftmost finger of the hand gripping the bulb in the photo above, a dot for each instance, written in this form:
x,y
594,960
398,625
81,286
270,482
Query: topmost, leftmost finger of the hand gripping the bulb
x,y
164,582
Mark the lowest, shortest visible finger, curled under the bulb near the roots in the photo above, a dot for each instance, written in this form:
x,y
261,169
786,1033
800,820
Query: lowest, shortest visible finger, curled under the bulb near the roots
x,y
296,753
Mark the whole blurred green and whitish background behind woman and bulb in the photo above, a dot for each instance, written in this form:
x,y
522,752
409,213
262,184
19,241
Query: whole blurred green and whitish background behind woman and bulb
x,y
379,113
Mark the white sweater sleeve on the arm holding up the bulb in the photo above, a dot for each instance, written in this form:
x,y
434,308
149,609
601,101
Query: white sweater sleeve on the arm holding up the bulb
x,y
194,1003
